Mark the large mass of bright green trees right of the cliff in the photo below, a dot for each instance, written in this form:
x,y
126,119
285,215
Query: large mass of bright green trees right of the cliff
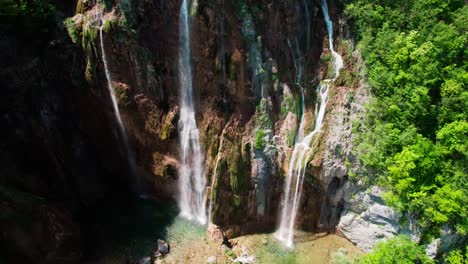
x,y
416,135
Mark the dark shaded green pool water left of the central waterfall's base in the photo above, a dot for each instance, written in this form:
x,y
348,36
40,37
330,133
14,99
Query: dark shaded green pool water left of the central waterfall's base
x,y
125,231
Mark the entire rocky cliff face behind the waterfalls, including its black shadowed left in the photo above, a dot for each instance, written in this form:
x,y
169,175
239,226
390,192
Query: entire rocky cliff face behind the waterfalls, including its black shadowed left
x,y
250,61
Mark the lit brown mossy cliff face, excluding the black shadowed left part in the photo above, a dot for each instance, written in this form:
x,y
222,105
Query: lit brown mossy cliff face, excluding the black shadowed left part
x,y
250,61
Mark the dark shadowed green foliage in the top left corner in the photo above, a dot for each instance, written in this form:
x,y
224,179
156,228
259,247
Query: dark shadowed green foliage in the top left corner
x,y
27,17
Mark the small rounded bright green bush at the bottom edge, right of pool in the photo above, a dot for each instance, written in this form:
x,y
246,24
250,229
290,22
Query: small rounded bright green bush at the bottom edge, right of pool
x,y
399,249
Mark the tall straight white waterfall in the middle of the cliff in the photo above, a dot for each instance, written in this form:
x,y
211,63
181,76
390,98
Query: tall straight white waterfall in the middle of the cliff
x,y
192,181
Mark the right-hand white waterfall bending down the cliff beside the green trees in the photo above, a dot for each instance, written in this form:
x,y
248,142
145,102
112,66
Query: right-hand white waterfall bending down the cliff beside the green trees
x,y
302,151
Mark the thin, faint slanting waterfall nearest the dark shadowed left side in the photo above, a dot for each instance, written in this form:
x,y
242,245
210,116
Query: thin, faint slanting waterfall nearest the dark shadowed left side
x,y
121,128
